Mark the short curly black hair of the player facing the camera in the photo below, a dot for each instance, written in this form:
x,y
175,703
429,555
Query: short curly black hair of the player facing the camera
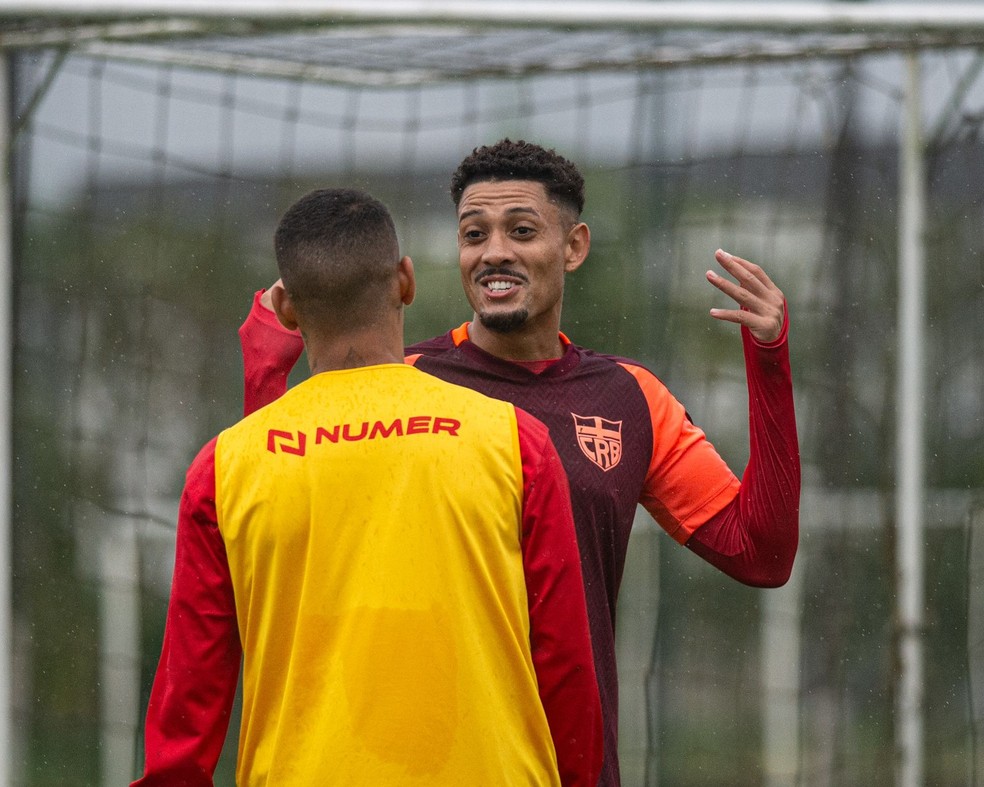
x,y
520,160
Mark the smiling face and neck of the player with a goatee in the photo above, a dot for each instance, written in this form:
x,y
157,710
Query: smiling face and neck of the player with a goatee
x,y
514,247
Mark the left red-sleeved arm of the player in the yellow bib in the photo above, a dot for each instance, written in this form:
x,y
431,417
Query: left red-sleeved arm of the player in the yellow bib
x,y
192,695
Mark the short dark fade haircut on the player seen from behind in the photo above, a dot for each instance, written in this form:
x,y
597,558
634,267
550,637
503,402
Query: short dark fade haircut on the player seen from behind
x,y
336,249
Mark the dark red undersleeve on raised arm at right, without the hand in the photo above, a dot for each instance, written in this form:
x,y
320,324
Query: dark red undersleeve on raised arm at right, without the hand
x,y
754,538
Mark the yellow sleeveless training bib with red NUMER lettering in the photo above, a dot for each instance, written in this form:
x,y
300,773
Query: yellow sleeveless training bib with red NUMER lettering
x,y
379,586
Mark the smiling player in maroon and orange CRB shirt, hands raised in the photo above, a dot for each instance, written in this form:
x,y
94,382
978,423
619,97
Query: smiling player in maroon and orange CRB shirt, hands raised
x,y
622,436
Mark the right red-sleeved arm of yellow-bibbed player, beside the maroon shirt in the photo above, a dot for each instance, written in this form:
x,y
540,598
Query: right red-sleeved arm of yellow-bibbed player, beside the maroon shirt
x,y
559,635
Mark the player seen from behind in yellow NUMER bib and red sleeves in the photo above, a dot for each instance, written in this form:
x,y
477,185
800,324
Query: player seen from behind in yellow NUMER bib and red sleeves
x,y
393,557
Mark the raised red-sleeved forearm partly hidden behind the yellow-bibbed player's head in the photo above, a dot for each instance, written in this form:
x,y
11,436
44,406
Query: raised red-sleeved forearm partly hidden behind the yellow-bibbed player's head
x,y
269,353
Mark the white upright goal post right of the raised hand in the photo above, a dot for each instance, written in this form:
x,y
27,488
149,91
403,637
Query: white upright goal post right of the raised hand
x,y
910,409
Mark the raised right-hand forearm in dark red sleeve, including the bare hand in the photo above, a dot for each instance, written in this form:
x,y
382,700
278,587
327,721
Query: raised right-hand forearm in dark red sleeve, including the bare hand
x,y
754,537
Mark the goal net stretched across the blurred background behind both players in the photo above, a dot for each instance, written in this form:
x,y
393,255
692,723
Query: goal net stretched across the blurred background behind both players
x,y
151,161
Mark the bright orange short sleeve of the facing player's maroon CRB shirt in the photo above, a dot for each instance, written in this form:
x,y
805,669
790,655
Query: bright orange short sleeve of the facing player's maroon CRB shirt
x,y
687,481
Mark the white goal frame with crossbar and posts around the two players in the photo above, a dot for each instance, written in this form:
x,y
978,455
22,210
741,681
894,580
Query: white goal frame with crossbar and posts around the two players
x,y
143,31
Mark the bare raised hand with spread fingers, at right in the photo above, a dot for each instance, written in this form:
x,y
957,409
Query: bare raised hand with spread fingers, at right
x,y
760,302
